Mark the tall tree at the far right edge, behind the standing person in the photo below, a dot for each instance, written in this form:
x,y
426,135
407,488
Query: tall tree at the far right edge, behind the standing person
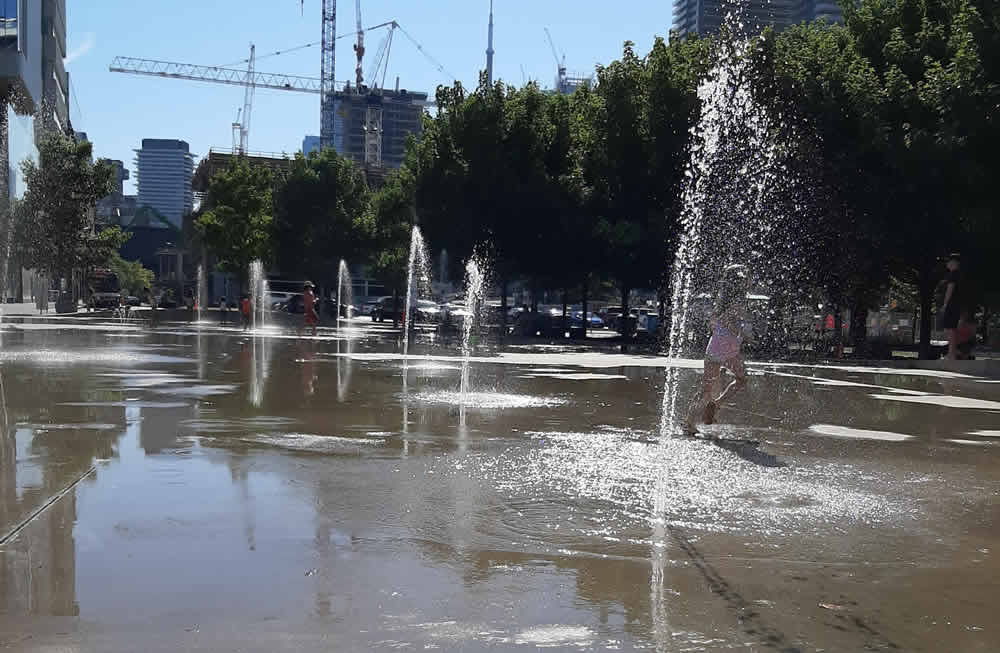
x,y
938,99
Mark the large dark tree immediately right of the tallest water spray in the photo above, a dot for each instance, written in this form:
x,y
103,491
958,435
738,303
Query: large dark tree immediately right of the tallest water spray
x,y
829,96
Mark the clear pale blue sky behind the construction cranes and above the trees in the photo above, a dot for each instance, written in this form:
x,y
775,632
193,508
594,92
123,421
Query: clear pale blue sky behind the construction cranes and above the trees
x,y
118,111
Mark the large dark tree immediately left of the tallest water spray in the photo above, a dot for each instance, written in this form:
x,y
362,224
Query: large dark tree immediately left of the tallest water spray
x,y
631,136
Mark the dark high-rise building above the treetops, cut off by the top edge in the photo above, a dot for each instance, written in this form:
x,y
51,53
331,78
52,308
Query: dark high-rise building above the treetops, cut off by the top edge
x,y
706,16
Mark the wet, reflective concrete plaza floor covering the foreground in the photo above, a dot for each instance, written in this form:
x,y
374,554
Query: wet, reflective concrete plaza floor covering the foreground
x,y
167,490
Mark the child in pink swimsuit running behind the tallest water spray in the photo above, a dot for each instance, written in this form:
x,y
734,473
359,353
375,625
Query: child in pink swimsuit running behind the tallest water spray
x,y
728,323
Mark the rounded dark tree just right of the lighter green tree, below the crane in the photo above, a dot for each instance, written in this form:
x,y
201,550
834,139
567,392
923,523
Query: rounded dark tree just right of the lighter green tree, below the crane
x,y
319,209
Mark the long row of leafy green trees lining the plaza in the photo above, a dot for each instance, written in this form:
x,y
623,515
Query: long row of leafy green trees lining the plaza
x,y
895,122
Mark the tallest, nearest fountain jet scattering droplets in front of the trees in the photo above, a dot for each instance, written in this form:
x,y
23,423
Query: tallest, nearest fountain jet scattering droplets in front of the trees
x,y
734,199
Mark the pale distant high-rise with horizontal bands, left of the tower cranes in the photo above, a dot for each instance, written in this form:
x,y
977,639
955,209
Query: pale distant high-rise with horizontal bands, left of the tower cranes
x,y
164,168
